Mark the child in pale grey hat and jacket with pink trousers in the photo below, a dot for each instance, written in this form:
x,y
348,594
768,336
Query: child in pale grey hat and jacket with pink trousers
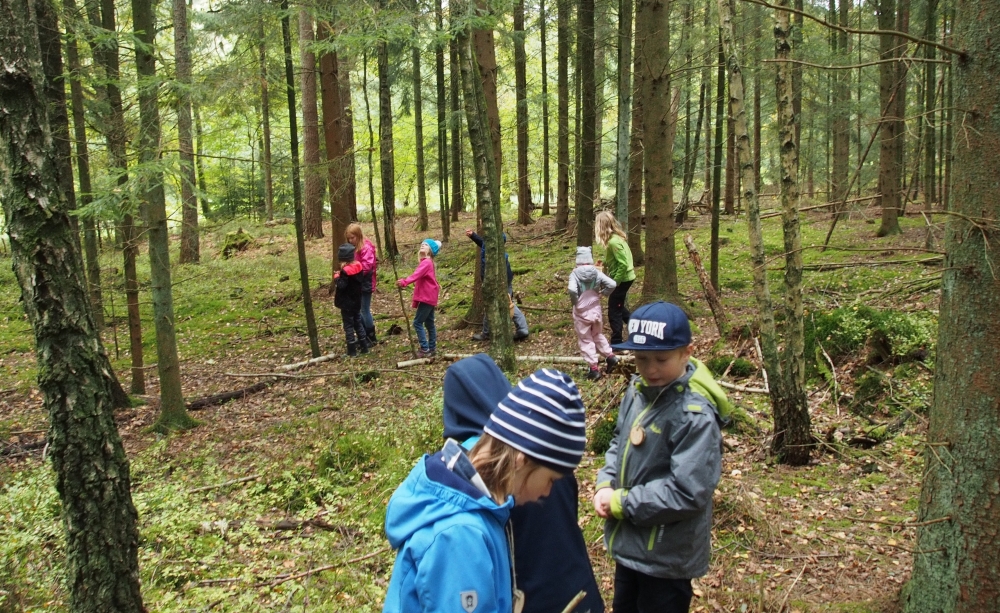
x,y
586,285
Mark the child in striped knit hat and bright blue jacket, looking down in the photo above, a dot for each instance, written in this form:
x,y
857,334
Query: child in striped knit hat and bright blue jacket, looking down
x,y
448,520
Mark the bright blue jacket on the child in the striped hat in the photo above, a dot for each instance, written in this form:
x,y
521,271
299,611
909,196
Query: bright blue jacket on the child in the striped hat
x,y
452,553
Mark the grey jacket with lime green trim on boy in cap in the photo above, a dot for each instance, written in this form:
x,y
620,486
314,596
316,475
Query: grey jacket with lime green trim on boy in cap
x,y
662,503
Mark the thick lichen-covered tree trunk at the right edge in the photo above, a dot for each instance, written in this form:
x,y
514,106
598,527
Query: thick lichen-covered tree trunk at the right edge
x,y
957,569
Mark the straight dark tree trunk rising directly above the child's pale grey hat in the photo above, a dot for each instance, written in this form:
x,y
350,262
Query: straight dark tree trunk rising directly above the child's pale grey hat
x,y
588,136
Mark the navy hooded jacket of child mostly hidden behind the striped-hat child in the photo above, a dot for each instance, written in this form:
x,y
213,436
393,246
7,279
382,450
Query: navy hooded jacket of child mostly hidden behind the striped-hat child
x,y
550,555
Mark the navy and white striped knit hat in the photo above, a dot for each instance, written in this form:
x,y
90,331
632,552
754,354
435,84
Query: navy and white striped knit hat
x,y
543,417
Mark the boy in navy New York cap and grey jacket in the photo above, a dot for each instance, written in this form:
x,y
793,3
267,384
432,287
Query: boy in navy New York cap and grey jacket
x,y
662,467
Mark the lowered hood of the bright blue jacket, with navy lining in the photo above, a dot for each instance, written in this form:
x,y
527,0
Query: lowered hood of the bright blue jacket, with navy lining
x,y
431,494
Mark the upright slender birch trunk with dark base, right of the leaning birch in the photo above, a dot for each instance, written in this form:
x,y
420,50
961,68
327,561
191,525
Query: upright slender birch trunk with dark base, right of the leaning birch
x,y
792,439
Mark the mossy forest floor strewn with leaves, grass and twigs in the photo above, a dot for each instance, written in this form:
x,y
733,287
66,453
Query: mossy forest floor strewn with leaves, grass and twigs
x,y
243,512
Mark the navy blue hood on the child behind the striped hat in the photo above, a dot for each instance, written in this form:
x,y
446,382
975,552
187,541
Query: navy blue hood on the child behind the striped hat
x,y
472,389
